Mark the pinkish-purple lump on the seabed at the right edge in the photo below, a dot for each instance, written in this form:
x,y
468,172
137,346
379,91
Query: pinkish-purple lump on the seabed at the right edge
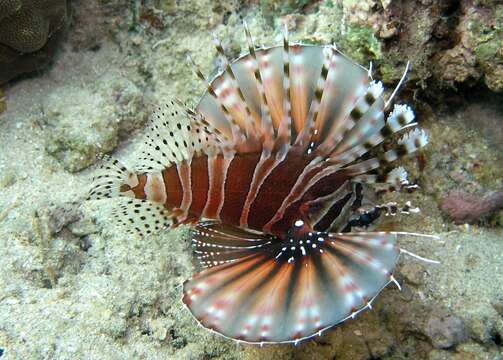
x,y
463,207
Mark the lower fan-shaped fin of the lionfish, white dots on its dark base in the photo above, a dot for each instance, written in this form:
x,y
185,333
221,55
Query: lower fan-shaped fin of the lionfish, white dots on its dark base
x,y
286,291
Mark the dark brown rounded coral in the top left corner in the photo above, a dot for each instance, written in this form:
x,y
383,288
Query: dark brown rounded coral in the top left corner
x,y
29,33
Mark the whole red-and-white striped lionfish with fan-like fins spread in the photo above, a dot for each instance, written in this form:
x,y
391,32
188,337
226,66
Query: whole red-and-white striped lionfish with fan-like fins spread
x,y
276,168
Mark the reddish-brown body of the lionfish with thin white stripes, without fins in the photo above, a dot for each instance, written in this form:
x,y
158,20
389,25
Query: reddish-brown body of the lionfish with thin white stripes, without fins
x,y
238,192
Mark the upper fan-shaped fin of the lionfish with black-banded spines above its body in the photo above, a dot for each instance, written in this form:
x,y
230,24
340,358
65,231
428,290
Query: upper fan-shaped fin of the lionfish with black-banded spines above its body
x,y
312,96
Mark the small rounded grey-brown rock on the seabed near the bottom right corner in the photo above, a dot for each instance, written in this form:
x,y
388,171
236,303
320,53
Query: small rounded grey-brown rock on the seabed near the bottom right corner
x,y
445,332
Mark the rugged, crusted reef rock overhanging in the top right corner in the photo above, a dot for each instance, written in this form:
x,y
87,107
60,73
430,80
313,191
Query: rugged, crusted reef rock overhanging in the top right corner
x,y
449,43
